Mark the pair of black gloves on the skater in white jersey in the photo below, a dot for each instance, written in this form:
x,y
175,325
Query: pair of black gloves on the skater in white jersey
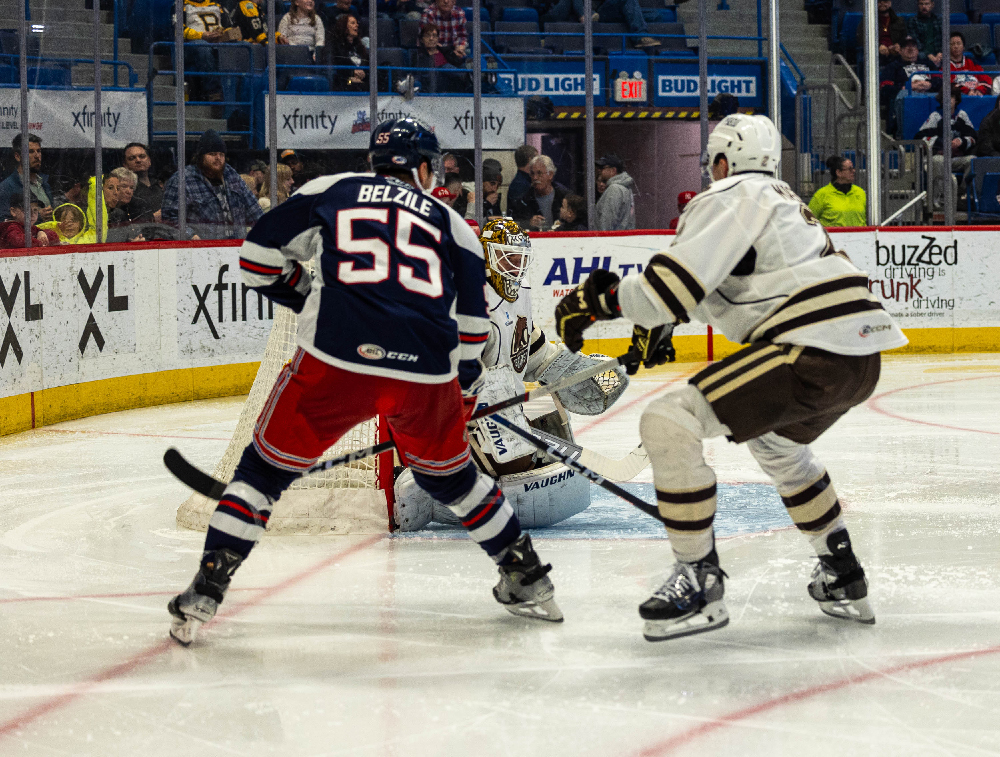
x,y
596,299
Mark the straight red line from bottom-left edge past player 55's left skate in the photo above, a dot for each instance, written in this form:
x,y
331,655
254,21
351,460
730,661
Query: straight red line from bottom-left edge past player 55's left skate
x,y
140,659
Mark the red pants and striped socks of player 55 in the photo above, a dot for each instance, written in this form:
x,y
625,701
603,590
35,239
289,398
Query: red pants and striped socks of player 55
x,y
313,404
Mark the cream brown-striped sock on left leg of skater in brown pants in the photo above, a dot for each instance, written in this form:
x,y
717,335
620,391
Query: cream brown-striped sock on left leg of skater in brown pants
x,y
672,429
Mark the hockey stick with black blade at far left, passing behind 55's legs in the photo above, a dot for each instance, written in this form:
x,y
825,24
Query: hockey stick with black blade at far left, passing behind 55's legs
x,y
196,479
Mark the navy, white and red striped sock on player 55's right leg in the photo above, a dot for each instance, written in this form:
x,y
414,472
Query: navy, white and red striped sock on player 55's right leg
x,y
479,505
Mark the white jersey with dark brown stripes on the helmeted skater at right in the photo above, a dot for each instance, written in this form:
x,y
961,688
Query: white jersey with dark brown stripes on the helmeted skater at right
x,y
752,260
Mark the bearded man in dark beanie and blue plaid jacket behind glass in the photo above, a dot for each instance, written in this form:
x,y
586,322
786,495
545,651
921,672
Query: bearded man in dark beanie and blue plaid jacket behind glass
x,y
219,203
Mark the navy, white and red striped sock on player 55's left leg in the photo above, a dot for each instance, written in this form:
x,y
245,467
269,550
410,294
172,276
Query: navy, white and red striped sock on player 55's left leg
x,y
241,515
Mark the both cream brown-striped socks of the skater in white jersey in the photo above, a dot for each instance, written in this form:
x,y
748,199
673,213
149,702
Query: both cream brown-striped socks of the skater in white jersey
x,y
672,429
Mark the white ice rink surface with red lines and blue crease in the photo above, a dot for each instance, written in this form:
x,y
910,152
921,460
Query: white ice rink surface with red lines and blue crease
x,y
394,645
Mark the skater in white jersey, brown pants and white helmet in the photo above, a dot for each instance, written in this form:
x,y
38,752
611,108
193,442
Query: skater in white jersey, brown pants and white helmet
x,y
750,259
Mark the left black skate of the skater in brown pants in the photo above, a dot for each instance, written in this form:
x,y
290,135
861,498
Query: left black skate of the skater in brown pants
x,y
688,602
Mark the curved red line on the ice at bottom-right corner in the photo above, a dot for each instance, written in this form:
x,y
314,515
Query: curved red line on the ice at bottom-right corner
x,y
724,721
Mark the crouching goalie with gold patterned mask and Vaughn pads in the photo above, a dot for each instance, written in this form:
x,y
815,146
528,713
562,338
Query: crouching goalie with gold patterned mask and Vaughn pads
x,y
541,492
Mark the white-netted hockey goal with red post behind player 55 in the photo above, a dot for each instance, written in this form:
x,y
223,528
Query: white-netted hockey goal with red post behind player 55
x,y
348,499
